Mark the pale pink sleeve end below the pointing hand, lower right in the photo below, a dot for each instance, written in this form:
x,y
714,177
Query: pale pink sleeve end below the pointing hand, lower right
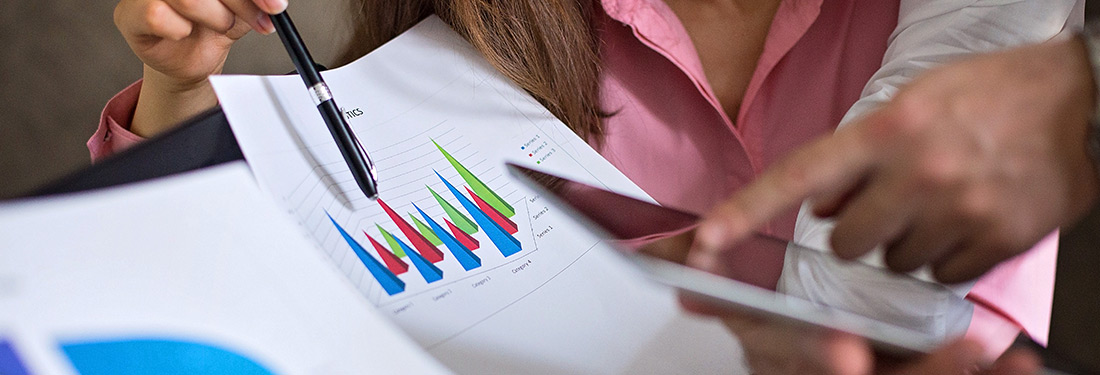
x,y
1017,295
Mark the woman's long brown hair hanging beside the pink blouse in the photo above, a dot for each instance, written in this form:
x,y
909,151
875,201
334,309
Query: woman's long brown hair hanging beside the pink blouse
x,y
548,48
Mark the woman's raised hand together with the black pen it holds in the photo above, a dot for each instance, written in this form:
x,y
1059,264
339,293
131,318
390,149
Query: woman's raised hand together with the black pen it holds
x,y
184,42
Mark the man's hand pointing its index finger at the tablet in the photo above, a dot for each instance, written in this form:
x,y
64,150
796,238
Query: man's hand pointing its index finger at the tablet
x,y
970,166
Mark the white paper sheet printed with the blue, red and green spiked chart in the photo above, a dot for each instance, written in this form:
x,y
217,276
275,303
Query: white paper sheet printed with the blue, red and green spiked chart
x,y
558,302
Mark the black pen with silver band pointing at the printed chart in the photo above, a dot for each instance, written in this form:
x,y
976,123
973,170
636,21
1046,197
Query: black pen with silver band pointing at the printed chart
x,y
358,161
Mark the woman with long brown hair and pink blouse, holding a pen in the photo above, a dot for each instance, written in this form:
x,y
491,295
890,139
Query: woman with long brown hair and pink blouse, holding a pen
x,y
690,100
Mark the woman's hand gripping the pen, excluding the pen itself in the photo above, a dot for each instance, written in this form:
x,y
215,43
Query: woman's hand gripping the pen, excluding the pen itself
x,y
182,43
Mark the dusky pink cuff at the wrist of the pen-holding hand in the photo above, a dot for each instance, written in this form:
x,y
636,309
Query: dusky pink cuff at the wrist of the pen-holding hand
x,y
114,135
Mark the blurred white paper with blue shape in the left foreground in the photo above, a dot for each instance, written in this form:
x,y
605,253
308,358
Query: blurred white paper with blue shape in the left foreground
x,y
204,258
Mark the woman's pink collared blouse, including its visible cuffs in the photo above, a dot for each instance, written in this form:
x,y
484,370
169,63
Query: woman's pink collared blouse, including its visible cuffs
x,y
668,125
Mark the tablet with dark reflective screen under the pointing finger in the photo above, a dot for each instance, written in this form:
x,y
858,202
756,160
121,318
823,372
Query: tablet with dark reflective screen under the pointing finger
x,y
738,291
